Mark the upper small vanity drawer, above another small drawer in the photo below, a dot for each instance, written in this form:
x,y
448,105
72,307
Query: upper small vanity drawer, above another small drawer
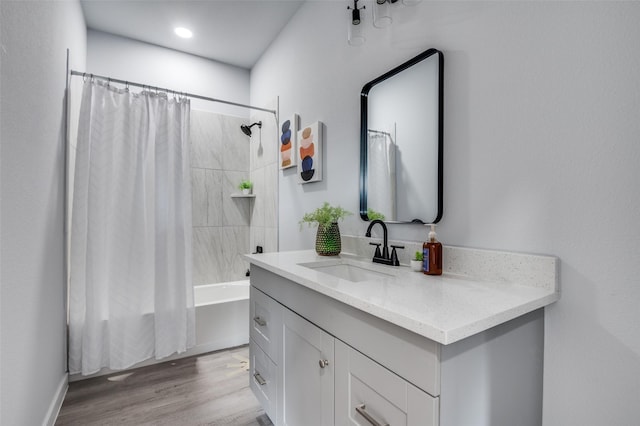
x,y
266,322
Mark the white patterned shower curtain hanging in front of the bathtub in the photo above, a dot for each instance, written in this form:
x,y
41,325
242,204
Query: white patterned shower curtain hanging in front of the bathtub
x,y
130,290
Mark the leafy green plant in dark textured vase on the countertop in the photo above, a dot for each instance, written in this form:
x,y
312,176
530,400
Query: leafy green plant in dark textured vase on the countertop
x,y
328,235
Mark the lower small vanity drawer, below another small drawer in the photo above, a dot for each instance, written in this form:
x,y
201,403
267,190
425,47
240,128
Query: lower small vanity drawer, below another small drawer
x,y
263,379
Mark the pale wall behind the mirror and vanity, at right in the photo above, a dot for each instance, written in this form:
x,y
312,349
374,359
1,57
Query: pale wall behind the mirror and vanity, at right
x,y
541,155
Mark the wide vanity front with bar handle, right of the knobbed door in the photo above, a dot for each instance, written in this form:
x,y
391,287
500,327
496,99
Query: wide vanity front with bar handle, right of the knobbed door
x,y
367,394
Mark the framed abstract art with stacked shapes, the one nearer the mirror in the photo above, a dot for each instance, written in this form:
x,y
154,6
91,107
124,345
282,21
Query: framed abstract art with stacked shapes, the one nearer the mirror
x,y
310,153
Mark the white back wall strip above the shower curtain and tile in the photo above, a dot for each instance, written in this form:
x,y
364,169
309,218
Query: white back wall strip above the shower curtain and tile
x,y
126,59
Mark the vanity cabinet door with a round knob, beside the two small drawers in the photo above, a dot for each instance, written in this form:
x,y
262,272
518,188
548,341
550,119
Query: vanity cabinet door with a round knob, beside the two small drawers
x,y
306,368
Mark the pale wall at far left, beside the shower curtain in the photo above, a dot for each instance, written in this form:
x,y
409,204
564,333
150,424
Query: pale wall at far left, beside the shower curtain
x,y
35,36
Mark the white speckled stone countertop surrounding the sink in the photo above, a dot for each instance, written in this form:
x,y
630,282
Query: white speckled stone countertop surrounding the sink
x,y
445,308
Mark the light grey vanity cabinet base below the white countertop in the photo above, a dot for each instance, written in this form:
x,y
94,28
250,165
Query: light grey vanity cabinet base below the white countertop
x,y
332,364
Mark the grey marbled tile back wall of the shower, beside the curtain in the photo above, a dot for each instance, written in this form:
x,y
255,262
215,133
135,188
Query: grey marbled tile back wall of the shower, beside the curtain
x,y
221,224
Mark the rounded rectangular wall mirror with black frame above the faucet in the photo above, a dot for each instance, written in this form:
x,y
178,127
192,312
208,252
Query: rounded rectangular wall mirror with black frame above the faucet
x,y
401,142
